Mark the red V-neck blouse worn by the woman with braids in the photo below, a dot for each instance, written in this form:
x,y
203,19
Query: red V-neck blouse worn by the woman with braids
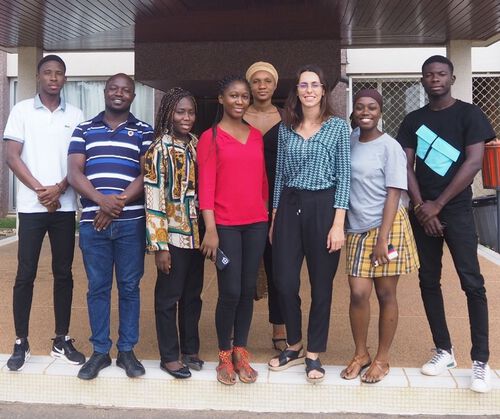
x,y
232,177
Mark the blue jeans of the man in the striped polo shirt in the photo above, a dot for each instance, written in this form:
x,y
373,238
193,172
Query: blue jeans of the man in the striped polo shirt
x,y
122,246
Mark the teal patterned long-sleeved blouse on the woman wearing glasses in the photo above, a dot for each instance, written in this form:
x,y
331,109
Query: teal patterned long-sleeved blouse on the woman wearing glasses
x,y
320,162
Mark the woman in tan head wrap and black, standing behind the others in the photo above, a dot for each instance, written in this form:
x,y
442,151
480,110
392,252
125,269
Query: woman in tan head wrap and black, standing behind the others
x,y
266,117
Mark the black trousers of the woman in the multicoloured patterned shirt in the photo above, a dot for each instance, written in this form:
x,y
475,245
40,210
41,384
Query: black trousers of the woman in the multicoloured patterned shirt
x,y
177,299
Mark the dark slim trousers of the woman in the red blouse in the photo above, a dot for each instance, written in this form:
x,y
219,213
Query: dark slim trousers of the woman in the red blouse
x,y
244,246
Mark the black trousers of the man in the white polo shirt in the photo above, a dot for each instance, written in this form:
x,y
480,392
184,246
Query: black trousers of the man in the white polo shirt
x,y
32,229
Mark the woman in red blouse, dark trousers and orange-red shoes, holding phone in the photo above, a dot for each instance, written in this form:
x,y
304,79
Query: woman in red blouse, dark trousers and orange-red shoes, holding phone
x,y
233,196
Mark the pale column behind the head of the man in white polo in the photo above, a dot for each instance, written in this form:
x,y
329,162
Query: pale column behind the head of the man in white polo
x,y
27,59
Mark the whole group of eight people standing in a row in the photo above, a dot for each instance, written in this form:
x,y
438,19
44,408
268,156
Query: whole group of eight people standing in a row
x,y
262,182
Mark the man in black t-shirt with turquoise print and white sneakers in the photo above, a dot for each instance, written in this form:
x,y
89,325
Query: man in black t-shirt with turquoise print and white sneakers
x,y
444,144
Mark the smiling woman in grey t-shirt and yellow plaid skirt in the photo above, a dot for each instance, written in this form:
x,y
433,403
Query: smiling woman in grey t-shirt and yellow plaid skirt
x,y
380,244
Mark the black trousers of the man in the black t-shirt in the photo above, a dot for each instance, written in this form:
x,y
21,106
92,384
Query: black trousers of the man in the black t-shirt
x,y
460,236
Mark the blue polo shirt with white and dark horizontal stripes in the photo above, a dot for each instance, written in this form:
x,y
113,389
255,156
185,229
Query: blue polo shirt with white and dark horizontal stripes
x,y
112,160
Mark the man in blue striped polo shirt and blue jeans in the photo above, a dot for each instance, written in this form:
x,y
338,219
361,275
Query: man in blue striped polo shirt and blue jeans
x,y
105,166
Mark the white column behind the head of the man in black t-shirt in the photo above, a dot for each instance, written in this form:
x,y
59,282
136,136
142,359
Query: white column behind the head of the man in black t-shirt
x,y
460,54
